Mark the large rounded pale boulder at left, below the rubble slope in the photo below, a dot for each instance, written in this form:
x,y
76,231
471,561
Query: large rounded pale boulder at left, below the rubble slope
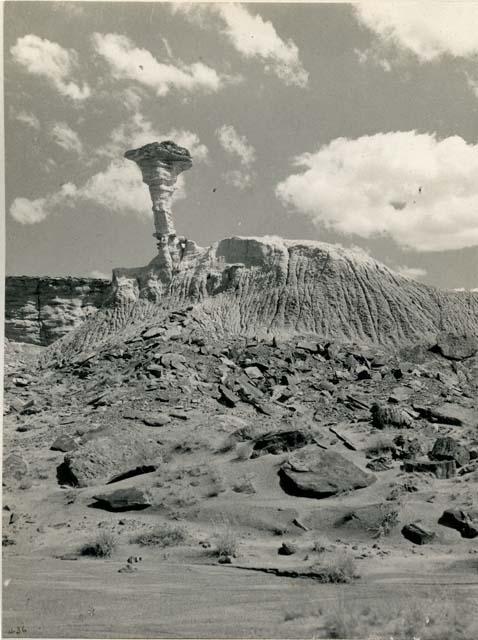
x,y
109,456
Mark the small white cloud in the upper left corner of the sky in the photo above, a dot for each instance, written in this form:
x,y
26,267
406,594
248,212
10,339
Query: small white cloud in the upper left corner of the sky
x,y
48,59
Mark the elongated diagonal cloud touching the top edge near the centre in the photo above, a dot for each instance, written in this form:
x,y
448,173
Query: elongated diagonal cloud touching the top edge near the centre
x,y
252,37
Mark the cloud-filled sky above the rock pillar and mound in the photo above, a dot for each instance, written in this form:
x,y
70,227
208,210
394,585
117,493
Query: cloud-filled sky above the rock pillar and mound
x,y
345,123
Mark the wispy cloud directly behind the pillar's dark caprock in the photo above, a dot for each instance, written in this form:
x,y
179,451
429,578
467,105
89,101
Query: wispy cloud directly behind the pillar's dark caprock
x,y
139,131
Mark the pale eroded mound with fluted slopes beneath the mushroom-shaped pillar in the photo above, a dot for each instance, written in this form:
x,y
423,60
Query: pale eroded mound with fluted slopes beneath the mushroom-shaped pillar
x,y
270,286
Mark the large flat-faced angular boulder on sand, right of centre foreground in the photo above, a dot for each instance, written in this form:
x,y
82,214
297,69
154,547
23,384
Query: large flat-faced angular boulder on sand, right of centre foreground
x,y
315,473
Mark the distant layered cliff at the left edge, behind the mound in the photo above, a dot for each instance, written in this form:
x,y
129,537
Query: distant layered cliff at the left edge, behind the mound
x,y
41,310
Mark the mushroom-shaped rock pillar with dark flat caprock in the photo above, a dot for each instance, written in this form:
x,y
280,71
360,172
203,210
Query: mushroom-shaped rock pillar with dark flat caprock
x,y
160,164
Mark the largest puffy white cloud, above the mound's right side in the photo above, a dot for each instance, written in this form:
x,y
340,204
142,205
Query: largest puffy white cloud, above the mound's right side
x,y
420,191
